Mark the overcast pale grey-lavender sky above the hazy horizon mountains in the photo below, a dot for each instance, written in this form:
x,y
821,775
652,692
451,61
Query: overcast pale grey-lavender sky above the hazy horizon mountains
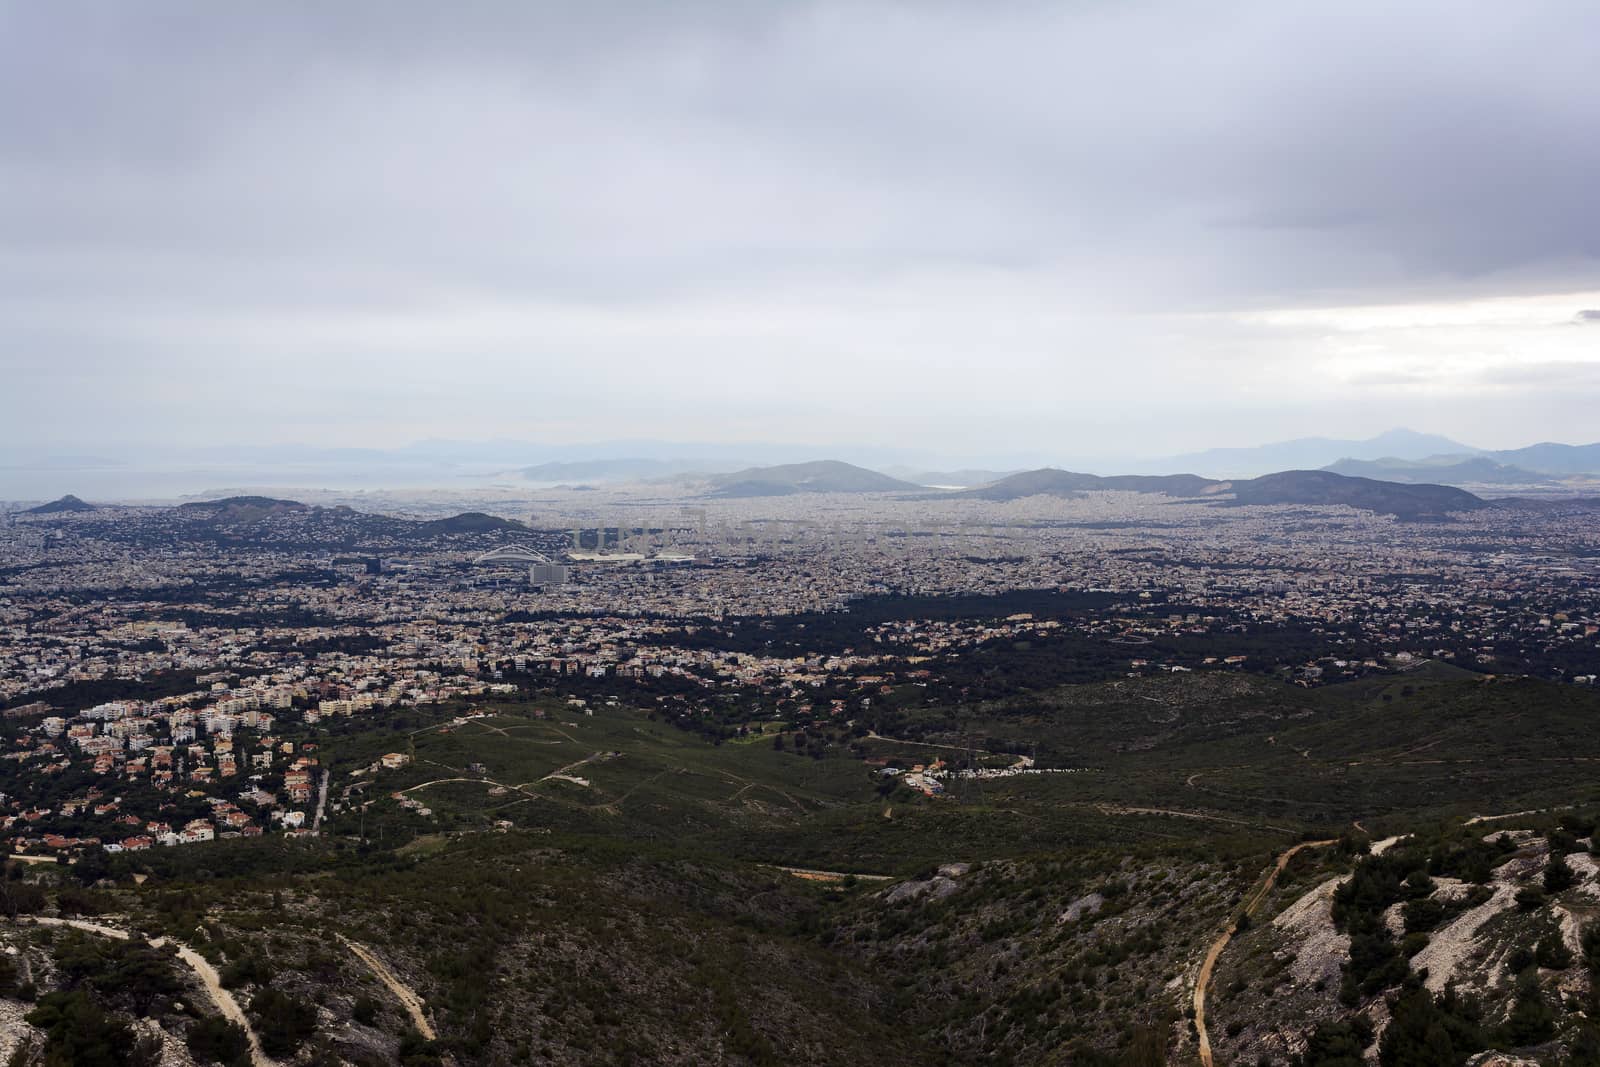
x,y
977,228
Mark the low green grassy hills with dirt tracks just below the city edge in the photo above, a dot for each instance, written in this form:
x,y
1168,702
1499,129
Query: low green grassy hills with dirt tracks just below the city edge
x,y
1217,759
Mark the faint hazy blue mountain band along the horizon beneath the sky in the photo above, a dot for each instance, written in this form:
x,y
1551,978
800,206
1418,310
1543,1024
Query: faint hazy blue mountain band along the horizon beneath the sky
x,y
745,470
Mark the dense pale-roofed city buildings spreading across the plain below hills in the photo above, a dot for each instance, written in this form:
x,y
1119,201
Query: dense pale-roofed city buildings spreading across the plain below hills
x,y
153,660
